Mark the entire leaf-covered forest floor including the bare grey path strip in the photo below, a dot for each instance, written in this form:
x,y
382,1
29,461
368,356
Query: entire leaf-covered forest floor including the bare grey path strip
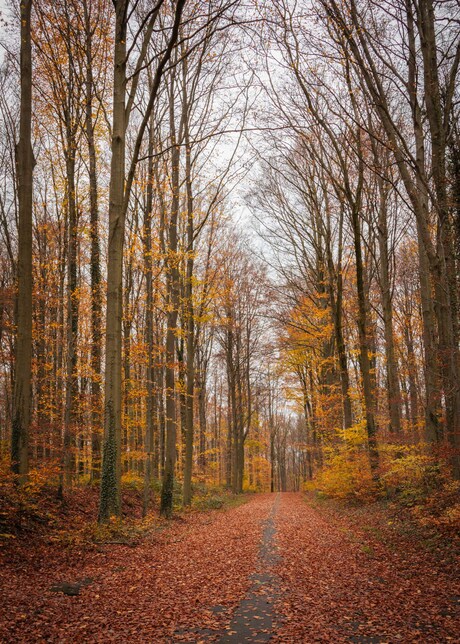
x,y
277,567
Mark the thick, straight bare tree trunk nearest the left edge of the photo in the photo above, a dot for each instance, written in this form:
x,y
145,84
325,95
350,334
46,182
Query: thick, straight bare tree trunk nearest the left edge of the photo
x,y
23,345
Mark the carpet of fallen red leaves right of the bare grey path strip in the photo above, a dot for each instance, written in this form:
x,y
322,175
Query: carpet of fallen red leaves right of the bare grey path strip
x,y
339,583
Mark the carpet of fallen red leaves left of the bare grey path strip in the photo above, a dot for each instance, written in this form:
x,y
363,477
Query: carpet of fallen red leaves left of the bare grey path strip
x,y
153,592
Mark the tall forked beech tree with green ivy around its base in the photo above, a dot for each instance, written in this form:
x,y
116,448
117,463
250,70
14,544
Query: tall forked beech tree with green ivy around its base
x,y
120,190
